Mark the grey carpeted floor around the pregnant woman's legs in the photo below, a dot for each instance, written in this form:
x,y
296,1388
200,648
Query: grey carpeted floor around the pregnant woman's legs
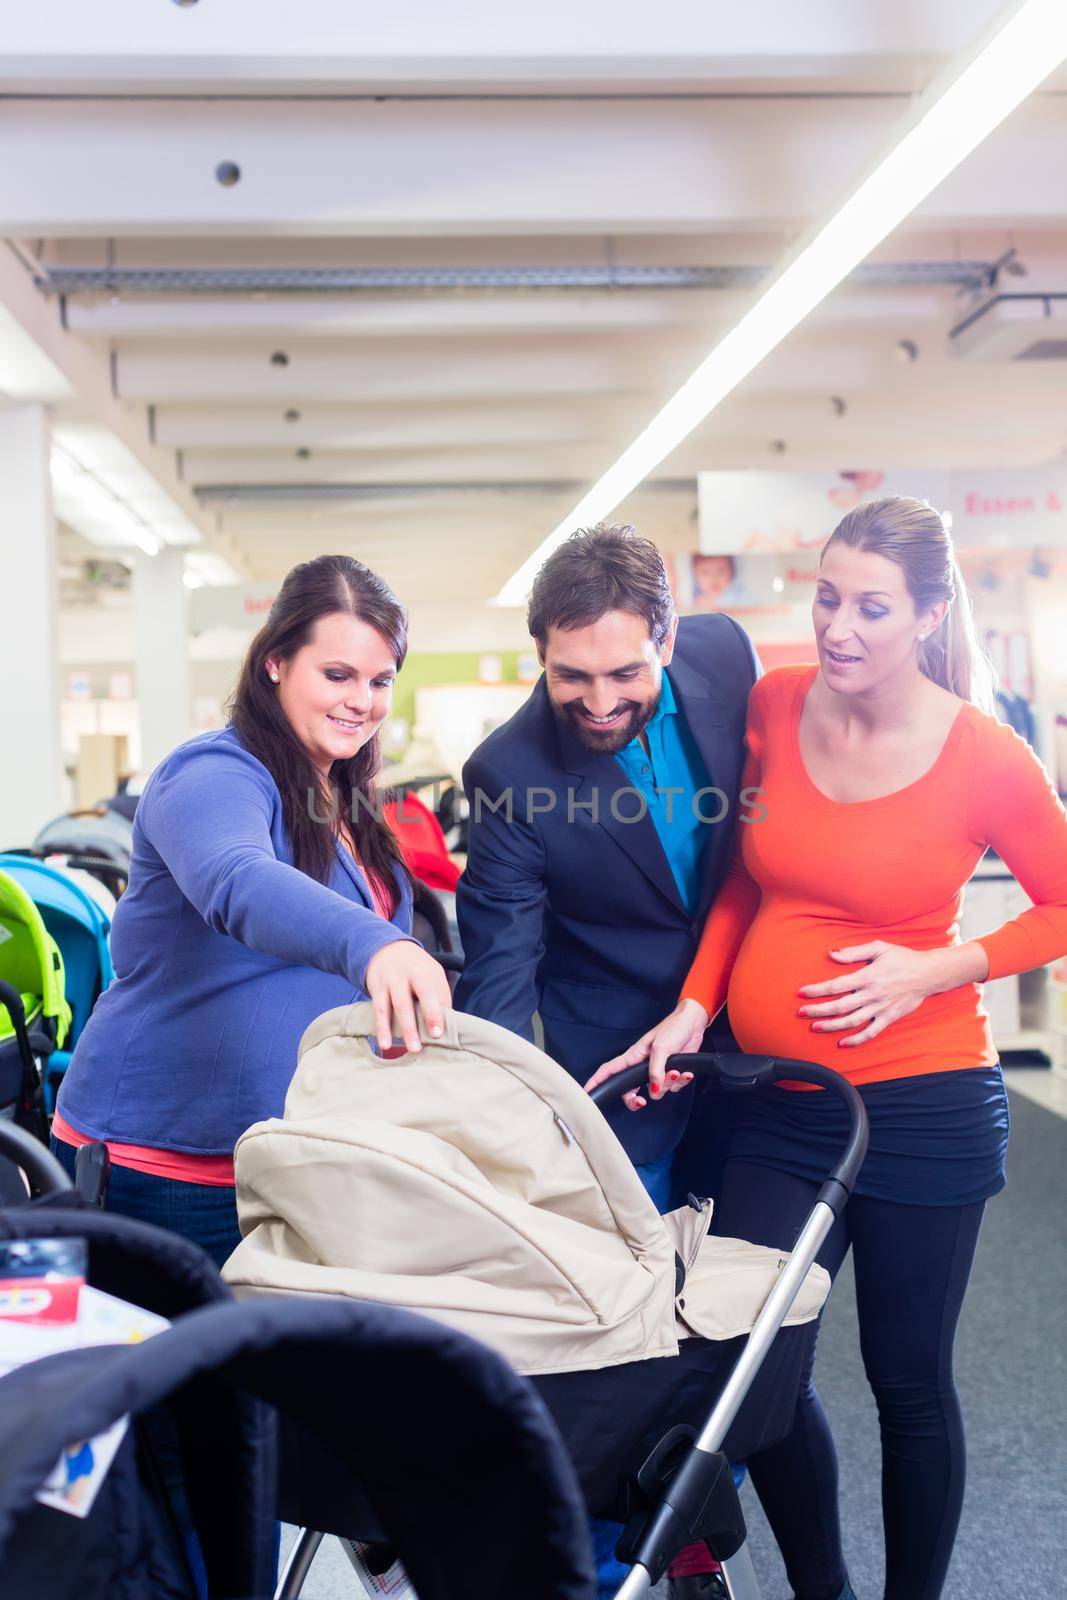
x,y
1012,1367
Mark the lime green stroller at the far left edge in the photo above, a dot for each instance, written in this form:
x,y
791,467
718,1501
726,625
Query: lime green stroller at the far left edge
x,y
34,1012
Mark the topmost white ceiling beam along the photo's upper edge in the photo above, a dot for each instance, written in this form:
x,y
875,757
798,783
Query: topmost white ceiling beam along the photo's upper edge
x,y
426,47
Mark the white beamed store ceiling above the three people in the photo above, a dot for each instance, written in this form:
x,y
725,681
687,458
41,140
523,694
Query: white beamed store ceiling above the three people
x,y
441,431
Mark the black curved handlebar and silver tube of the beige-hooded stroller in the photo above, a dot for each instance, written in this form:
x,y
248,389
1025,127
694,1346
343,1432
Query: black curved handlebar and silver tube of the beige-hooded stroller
x,y
689,1487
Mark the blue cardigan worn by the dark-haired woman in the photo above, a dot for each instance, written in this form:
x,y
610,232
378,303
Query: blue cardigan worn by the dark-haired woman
x,y
223,953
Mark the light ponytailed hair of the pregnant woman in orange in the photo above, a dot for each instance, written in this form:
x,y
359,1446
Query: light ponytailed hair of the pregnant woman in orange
x,y
914,535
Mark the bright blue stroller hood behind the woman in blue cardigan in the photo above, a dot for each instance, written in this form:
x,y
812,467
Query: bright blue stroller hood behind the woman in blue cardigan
x,y
81,930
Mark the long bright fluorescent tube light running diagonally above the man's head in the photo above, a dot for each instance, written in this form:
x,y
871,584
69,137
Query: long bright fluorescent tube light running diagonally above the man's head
x,y
959,110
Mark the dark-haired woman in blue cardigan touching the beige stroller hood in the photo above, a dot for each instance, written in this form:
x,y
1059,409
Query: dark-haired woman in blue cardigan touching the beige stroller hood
x,y
265,890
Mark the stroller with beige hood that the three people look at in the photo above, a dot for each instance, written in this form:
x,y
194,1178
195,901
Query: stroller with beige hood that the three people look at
x,y
476,1182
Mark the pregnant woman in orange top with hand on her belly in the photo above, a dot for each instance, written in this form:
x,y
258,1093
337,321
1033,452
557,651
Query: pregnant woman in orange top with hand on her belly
x,y
836,940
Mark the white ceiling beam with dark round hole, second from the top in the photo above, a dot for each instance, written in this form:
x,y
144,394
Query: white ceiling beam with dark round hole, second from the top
x,y
476,167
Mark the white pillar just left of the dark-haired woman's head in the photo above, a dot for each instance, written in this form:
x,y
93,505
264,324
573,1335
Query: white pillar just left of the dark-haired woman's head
x,y
162,654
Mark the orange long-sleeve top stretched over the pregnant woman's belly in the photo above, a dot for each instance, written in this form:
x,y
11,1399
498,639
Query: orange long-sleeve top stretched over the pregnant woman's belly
x,y
813,876
